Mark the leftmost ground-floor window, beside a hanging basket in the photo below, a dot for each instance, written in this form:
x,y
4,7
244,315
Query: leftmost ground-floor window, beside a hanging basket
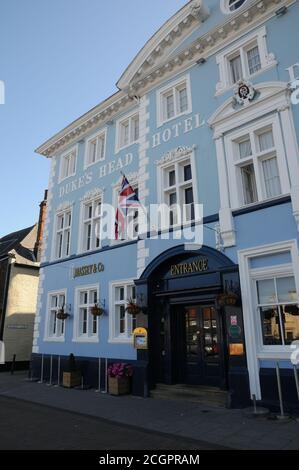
x,y
55,327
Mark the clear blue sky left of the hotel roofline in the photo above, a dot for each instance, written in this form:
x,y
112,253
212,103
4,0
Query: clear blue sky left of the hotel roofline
x,y
58,59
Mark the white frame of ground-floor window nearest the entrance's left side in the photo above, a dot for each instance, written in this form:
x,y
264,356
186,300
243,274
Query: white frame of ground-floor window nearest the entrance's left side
x,y
114,336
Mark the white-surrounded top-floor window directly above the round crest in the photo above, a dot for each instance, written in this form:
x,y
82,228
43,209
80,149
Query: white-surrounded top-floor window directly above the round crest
x,y
244,59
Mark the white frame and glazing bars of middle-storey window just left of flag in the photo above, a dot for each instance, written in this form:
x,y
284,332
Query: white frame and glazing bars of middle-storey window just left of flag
x,y
91,200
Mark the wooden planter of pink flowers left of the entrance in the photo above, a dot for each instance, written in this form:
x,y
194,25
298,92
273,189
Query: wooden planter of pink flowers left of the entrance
x,y
119,378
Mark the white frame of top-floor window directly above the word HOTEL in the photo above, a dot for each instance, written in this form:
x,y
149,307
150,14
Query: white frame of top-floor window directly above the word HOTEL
x,y
185,79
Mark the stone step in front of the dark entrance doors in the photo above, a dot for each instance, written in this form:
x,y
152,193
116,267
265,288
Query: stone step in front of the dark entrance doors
x,y
208,396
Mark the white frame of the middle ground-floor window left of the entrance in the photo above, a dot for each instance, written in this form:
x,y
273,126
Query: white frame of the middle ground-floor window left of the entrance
x,y
89,337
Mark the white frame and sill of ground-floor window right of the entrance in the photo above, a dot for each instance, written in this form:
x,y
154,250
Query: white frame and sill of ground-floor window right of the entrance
x,y
252,325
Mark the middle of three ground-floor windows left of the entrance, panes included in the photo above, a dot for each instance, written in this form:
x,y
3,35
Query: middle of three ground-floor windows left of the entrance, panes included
x,y
87,324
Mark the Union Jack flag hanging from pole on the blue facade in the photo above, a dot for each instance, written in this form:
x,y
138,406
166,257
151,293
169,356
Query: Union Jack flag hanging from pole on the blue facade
x,y
127,198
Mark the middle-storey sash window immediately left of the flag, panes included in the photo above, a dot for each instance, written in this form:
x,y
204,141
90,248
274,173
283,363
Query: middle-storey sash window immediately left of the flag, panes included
x,y
91,224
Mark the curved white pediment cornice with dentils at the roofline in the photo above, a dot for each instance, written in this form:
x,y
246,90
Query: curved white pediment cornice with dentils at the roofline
x,y
164,42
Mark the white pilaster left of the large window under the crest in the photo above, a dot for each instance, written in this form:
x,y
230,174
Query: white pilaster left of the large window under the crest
x,y
227,229
